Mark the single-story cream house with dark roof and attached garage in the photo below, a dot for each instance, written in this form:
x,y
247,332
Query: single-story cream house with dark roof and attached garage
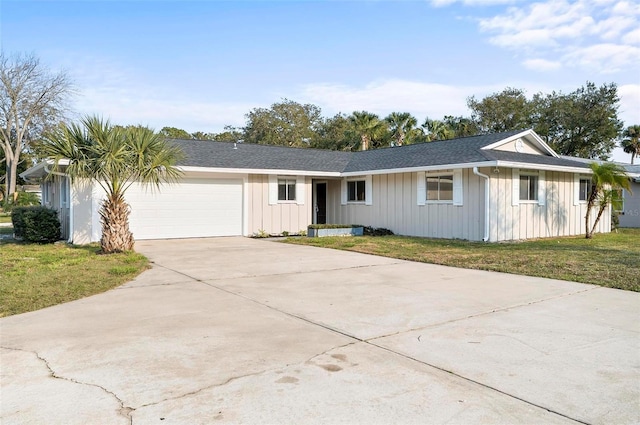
x,y
497,187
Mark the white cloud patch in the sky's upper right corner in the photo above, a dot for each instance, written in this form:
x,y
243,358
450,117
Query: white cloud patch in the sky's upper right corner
x,y
597,35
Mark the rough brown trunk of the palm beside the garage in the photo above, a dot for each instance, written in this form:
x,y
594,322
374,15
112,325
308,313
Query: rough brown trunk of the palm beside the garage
x,y
116,236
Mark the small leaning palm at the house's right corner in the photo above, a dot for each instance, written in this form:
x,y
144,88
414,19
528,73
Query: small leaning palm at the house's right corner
x,y
606,182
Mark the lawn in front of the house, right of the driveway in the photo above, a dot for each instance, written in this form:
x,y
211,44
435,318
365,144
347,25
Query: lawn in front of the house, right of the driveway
x,y
611,260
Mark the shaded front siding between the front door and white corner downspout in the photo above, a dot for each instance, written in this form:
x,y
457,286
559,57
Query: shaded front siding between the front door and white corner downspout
x,y
394,206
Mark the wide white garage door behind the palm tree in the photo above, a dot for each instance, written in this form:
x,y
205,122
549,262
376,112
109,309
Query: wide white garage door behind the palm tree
x,y
192,208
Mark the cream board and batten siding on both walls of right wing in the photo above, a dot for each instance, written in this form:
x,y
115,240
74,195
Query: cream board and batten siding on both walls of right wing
x,y
394,206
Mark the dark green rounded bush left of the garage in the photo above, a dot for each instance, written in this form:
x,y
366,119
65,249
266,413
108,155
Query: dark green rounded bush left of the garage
x,y
36,224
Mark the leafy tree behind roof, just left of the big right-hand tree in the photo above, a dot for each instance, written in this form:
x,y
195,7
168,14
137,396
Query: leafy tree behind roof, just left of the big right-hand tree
x,y
499,112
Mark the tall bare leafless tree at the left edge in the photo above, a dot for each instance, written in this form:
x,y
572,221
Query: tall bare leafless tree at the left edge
x,y
32,99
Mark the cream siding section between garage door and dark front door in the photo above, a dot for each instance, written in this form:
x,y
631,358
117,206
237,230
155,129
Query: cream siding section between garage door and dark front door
x,y
292,216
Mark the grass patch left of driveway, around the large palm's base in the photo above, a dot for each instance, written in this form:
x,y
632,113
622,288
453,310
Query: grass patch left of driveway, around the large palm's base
x,y
38,276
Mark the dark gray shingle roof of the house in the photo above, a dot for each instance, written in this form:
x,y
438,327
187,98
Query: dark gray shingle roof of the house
x,y
204,153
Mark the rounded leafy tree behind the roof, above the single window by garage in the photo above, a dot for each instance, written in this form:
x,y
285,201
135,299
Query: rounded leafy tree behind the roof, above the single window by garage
x,y
287,123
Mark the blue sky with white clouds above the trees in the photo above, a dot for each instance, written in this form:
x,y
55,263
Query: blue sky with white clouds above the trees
x,y
199,65
